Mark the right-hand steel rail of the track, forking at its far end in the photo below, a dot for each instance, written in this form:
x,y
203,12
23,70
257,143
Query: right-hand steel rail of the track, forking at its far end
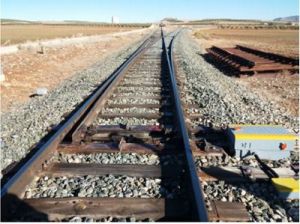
x,y
197,194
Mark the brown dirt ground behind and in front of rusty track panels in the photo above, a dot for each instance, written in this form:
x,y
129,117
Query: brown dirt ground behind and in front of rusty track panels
x,y
280,89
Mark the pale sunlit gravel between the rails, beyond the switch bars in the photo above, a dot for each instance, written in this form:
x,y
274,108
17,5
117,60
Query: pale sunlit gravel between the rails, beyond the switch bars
x,y
148,68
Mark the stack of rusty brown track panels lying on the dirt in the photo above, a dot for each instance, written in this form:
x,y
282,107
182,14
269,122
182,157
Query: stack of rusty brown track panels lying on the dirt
x,y
248,61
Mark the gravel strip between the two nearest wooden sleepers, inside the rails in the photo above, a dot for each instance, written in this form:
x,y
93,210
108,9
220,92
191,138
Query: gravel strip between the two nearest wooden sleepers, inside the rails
x,y
103,186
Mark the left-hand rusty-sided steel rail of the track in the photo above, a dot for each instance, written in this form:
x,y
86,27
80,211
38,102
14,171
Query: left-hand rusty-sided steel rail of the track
x,y
15,185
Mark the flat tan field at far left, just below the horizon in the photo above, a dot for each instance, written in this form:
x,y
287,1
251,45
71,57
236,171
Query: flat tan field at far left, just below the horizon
x,y
13,34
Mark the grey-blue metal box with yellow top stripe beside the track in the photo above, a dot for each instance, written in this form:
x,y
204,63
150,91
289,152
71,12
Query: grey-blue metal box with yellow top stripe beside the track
x,y
267,141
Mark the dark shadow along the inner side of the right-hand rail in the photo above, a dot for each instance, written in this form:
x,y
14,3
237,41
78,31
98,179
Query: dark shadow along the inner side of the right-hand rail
x,y
184,211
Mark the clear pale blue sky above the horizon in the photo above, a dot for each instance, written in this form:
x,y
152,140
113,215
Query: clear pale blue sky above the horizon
x,y
146,10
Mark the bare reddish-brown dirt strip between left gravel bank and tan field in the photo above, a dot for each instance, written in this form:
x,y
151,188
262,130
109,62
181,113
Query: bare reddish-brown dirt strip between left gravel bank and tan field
x,y
26,71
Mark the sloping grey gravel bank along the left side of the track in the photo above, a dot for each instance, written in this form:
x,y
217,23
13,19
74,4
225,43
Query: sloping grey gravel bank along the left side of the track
x,y
23,128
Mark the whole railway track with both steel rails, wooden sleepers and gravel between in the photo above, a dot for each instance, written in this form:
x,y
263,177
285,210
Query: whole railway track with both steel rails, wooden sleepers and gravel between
x,y
124,153
